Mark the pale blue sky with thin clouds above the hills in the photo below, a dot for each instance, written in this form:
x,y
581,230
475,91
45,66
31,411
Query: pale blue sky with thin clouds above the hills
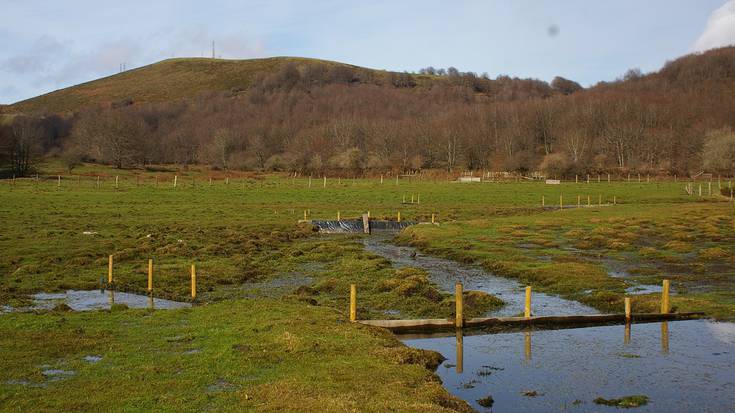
x,y
49,44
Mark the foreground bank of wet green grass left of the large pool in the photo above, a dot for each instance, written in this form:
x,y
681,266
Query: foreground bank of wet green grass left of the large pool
x,y
251,355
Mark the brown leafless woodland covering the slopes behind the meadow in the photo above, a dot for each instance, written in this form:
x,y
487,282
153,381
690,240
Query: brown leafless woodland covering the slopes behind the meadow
x,y
312,118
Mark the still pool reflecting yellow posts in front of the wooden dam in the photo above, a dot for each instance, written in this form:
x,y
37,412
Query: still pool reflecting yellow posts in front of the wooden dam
x,y
582,364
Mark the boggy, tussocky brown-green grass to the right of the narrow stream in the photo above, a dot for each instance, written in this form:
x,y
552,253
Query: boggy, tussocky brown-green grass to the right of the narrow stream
x,y
573,253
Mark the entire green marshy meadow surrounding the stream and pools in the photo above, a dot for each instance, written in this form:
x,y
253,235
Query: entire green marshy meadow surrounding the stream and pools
x,y
294,350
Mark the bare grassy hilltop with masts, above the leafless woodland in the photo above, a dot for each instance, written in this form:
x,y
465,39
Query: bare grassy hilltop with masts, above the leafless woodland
x,y
165,81
